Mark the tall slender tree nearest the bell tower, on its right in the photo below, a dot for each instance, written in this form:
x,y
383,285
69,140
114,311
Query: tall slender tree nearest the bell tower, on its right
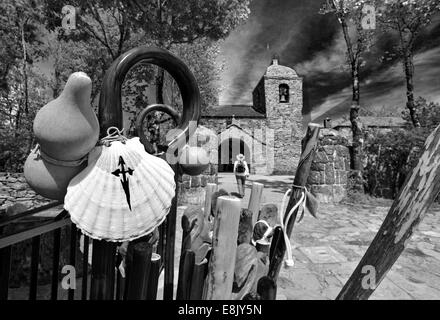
x,y
358,39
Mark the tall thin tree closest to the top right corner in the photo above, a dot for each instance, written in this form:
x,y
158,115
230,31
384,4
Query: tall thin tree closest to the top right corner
x,y
408,18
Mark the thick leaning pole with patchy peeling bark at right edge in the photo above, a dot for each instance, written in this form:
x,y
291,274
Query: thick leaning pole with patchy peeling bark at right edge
x,y
420,190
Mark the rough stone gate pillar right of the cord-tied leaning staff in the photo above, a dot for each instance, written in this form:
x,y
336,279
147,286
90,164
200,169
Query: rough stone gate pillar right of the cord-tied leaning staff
x,y
330,169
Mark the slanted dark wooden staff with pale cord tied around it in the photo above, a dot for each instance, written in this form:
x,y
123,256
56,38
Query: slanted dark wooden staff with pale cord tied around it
x,y
309,144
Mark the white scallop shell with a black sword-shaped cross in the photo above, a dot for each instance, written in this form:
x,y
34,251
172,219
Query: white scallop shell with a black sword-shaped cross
x,y
123,194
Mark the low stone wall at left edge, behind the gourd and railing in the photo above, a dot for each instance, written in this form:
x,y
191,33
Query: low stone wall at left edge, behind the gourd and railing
x,y
14,189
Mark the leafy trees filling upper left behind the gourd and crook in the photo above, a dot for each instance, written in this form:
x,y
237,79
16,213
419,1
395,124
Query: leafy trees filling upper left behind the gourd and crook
x,y
32,31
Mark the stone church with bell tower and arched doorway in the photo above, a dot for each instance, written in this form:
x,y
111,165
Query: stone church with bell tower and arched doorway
x,y
269,131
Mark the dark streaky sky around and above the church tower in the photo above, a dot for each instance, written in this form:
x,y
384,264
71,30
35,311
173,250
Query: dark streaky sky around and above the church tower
x,y
312,44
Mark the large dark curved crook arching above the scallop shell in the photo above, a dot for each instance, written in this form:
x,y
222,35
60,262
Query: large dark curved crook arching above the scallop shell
x,y
110,106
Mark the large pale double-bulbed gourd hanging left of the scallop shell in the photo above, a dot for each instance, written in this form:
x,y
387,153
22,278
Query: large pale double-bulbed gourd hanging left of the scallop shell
x,y
66,130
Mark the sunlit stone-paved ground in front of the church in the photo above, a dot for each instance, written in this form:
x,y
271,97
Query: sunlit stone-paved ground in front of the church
x,y
328,250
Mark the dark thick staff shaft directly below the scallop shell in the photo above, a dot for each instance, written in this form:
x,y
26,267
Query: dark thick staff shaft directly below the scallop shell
x,y
103,270
